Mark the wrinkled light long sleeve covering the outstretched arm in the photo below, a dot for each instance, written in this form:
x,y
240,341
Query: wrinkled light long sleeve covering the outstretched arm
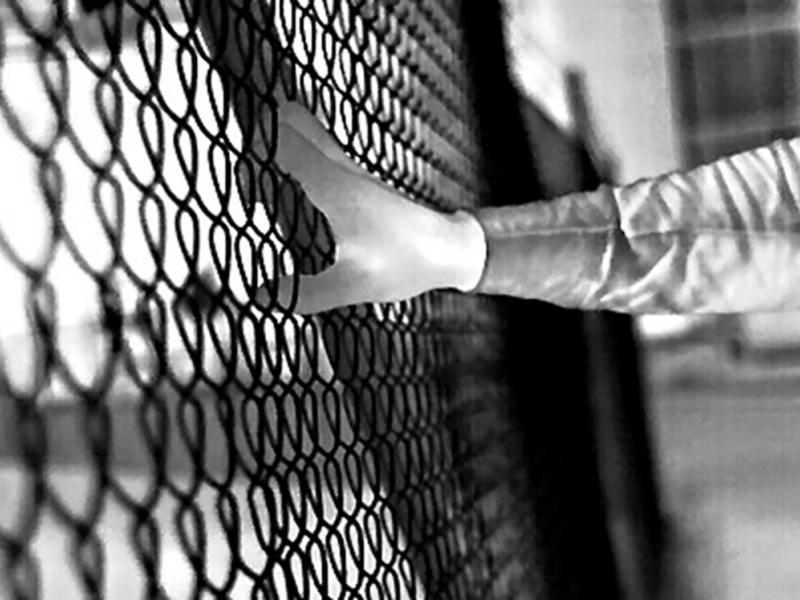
x,y
722,238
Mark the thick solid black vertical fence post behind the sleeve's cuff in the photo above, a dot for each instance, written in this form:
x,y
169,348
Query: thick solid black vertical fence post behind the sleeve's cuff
x,y
547,353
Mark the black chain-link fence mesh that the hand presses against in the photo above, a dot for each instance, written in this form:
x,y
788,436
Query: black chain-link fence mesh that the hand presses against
x,y
169,427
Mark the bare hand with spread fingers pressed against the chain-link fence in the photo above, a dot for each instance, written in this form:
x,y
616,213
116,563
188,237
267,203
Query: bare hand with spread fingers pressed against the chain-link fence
x,y
387,247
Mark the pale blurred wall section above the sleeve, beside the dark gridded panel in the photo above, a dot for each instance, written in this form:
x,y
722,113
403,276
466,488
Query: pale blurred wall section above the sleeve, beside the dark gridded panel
x,y
621,47
